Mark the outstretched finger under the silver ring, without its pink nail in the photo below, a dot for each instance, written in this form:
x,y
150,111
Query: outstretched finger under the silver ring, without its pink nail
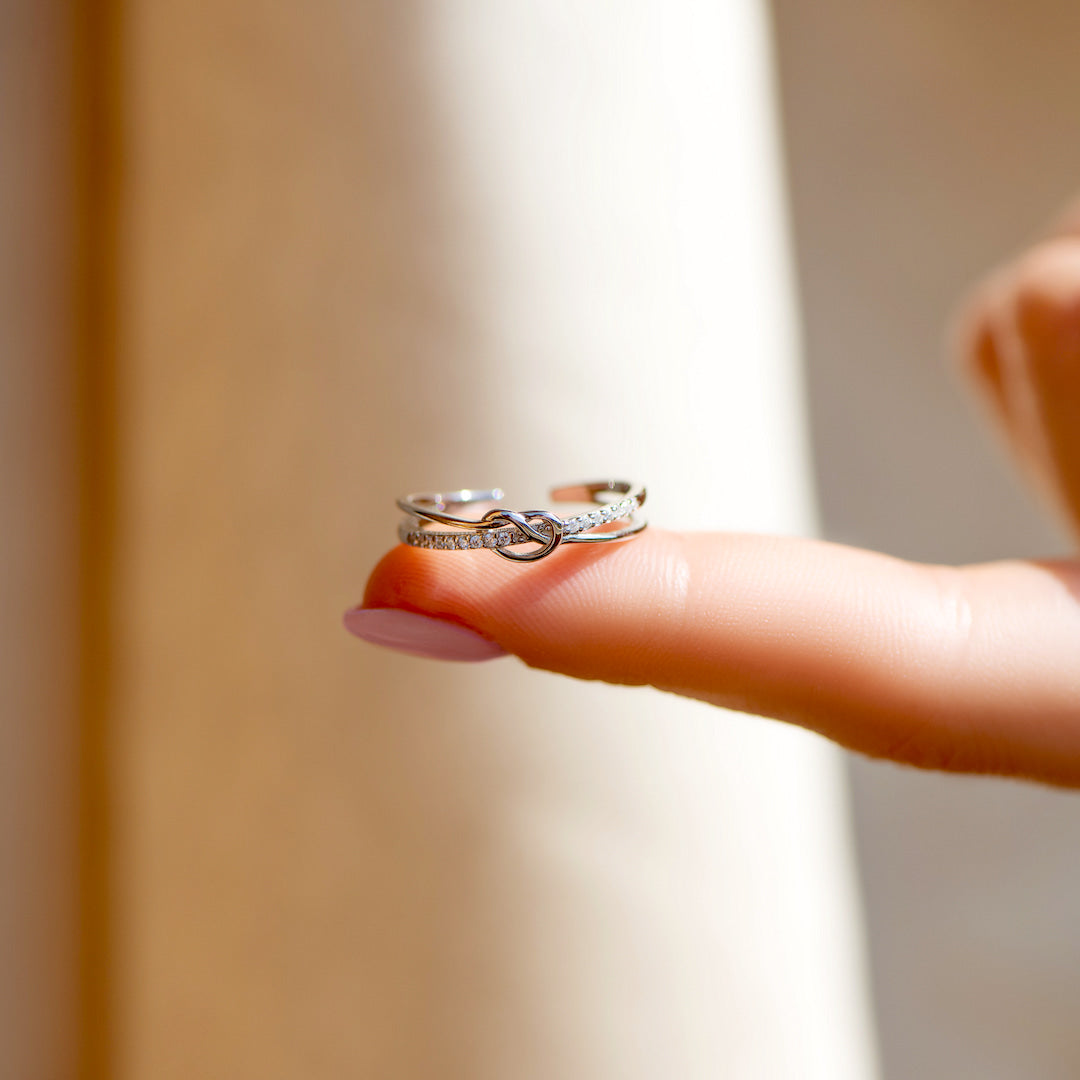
x,y
970,669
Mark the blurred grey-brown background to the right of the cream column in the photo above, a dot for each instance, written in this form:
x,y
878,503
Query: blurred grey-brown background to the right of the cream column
x,y
927,142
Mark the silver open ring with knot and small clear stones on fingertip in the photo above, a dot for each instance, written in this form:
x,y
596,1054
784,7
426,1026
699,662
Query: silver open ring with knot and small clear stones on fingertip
x,y
502,530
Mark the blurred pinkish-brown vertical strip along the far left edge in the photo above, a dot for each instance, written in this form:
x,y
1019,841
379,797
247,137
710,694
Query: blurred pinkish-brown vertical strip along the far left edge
x,y
39,549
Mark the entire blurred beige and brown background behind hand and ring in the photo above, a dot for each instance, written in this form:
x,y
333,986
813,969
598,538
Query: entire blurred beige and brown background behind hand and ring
x,y
224,849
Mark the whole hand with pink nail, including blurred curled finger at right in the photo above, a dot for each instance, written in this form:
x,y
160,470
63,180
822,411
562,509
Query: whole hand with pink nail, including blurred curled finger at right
x,y
969,669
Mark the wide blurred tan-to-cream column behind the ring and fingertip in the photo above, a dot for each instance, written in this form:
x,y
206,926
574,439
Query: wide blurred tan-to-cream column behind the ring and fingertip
x,y
374,248
